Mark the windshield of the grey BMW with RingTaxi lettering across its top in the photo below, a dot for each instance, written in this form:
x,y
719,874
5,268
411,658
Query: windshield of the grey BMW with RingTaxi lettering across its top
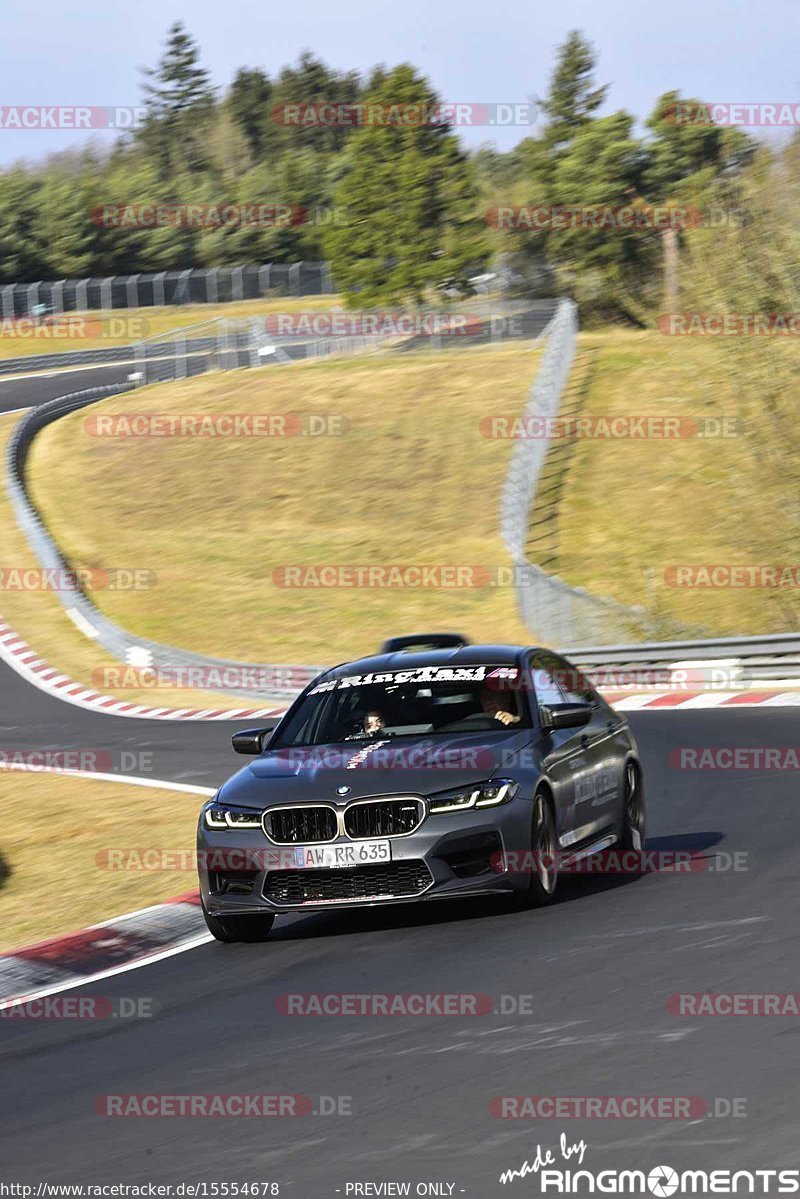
x,y
422,701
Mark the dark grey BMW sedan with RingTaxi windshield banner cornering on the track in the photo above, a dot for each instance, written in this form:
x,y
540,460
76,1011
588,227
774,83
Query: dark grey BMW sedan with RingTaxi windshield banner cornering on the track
x,y
435,770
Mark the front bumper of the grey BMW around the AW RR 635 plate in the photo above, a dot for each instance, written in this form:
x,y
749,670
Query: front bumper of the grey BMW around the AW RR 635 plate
x,y
450,855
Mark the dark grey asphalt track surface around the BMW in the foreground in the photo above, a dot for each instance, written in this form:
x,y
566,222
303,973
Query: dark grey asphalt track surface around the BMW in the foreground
x,y
599,967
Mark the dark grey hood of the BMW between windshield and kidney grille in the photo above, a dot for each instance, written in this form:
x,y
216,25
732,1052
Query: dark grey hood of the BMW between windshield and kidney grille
x,y
419,766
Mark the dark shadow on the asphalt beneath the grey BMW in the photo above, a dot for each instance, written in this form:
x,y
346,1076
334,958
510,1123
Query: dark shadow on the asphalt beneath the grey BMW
x,y
448,912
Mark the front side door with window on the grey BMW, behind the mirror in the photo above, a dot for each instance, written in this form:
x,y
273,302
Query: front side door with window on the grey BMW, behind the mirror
x,y
566,757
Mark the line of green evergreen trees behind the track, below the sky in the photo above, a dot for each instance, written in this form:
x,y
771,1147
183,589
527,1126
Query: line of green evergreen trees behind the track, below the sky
x,y
402,210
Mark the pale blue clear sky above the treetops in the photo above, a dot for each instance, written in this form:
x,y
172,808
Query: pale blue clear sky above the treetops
x,y
472,51
